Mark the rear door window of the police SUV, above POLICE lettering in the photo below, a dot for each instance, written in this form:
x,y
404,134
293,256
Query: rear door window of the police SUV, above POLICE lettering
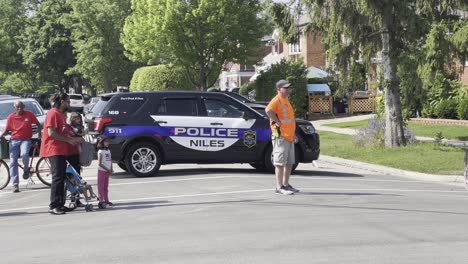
x,y
178,107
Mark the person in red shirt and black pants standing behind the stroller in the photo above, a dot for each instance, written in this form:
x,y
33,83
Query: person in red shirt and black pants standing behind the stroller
x,y
54,146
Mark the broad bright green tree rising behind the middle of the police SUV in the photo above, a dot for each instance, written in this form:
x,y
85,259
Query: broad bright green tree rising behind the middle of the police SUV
x,y
200,35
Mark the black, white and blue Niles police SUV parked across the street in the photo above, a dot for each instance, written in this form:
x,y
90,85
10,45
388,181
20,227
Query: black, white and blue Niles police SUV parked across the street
x,y
147,129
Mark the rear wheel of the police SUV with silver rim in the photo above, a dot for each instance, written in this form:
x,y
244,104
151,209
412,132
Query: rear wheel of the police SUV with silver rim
x,y
143,159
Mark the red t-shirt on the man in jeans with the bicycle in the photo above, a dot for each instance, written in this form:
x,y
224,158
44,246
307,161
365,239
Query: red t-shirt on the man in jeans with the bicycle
x,y
21,125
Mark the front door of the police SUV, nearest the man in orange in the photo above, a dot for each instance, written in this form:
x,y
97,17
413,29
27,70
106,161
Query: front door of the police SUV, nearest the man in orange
x,y
231,136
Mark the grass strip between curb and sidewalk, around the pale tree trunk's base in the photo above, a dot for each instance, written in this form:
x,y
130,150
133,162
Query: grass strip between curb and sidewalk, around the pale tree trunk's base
x,y
426,157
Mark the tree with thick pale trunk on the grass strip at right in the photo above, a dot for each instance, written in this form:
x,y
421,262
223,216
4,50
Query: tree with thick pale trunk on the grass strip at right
x,y
358,30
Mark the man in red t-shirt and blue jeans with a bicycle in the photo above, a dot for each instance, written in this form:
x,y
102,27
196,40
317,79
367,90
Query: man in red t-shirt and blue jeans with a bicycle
x,y
19,123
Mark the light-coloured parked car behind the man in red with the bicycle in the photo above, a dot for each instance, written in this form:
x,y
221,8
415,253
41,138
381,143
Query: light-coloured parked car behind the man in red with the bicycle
x,y
7,107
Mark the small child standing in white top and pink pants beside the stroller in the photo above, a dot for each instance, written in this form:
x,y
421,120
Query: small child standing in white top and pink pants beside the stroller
x,y
104,171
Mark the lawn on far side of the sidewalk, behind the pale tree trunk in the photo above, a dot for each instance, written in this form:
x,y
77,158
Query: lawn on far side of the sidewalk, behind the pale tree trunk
x,y
421,130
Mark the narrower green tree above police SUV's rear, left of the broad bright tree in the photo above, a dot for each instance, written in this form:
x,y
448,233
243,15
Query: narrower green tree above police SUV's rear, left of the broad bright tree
x,y
96,27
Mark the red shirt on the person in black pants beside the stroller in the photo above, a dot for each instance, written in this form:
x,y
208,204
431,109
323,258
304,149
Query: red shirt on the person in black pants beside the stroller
x,y
49,145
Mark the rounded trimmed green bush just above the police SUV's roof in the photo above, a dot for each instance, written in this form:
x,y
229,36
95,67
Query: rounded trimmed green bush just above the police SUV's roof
x,y
160,77
